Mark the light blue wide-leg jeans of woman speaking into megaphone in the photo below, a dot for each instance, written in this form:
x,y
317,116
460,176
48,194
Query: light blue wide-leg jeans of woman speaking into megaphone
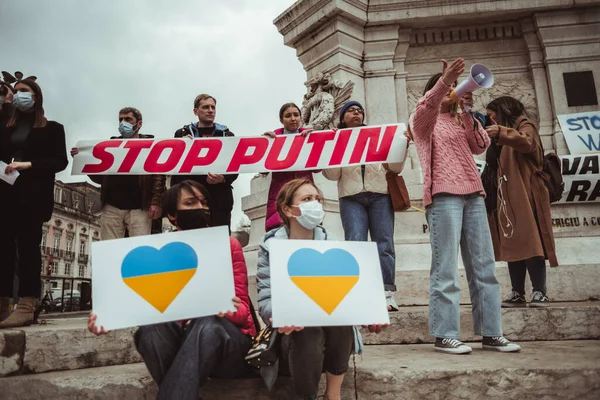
x,y
461,221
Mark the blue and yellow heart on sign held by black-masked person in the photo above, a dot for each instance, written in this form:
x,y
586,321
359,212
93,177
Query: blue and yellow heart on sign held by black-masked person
x,y
158,276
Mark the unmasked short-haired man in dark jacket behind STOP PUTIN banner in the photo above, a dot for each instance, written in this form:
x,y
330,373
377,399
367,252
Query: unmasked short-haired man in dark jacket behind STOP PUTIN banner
x,y
218,186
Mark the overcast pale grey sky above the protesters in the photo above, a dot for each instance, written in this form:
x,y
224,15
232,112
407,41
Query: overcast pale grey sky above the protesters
x,y
94,57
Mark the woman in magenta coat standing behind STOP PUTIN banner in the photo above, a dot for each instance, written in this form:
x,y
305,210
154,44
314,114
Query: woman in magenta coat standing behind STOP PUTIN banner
x,y
291,118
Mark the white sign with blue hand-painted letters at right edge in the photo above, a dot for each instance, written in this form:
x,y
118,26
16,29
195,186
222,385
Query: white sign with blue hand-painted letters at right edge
x,y
581,132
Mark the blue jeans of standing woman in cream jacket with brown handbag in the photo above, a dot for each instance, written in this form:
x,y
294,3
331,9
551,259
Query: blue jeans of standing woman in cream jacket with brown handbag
x,y
372,212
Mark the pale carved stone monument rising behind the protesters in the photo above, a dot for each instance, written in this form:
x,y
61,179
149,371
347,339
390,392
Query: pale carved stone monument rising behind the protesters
x,y
389,49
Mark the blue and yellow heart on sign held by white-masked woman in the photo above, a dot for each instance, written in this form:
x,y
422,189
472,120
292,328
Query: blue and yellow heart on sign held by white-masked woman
x,y
324,277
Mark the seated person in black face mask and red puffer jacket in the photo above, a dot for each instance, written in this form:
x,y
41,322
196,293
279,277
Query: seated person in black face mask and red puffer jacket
x,y
182,356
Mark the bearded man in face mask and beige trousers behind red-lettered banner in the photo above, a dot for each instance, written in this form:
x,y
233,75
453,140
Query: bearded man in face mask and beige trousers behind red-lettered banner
x,y
129,202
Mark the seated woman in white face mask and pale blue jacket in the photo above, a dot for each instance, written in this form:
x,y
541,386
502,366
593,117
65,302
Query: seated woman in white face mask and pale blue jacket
x,y
315,349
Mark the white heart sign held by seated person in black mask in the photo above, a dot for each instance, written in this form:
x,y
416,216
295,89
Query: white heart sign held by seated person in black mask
x,y
159,278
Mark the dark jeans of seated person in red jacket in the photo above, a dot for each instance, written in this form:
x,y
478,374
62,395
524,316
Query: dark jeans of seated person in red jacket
x,y
180,360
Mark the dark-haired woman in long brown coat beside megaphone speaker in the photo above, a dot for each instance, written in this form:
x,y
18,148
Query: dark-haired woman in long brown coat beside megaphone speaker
x,y
521,223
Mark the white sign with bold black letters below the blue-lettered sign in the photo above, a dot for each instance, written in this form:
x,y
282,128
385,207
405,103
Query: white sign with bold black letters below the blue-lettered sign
x,y
581,175
